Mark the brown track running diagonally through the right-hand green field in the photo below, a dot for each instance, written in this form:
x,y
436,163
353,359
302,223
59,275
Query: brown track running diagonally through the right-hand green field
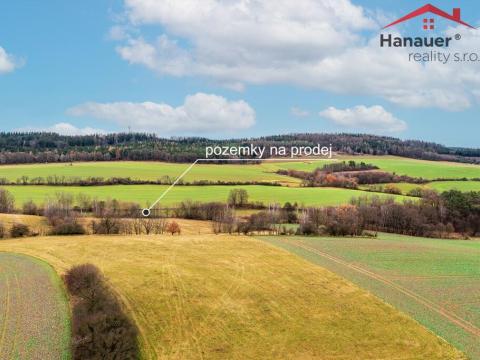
x,y
464,324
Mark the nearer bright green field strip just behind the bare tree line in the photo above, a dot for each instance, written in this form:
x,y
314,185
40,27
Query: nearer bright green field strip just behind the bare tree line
x,y
145,195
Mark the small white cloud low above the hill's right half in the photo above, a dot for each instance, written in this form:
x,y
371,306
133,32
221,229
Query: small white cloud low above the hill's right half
x,y
374,118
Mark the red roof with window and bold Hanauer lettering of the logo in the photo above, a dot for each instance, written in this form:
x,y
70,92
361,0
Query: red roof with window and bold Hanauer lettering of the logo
x,y
428,24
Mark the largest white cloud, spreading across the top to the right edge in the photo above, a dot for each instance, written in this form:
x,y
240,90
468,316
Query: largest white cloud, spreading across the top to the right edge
x,y
317,44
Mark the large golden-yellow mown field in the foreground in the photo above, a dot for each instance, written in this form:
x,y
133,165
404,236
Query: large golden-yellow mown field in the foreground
x,y
232,297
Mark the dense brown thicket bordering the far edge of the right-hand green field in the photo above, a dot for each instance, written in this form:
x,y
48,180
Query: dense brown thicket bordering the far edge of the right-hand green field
x,y
433,216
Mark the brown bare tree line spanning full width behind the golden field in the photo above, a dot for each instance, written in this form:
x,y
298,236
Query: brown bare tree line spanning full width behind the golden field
x,y
446,215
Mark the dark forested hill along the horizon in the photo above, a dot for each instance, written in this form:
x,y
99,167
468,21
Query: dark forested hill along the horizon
x,y
17,148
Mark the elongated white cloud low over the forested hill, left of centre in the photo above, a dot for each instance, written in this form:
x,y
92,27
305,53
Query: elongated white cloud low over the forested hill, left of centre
x,y
199,113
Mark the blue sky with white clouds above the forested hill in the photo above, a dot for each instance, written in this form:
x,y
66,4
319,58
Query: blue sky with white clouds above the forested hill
x,y
235,68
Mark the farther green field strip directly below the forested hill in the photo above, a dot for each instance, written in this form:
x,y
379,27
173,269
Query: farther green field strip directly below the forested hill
x,y
262,172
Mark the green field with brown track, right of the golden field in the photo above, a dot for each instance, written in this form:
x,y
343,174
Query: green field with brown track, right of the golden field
x,y
436,281
